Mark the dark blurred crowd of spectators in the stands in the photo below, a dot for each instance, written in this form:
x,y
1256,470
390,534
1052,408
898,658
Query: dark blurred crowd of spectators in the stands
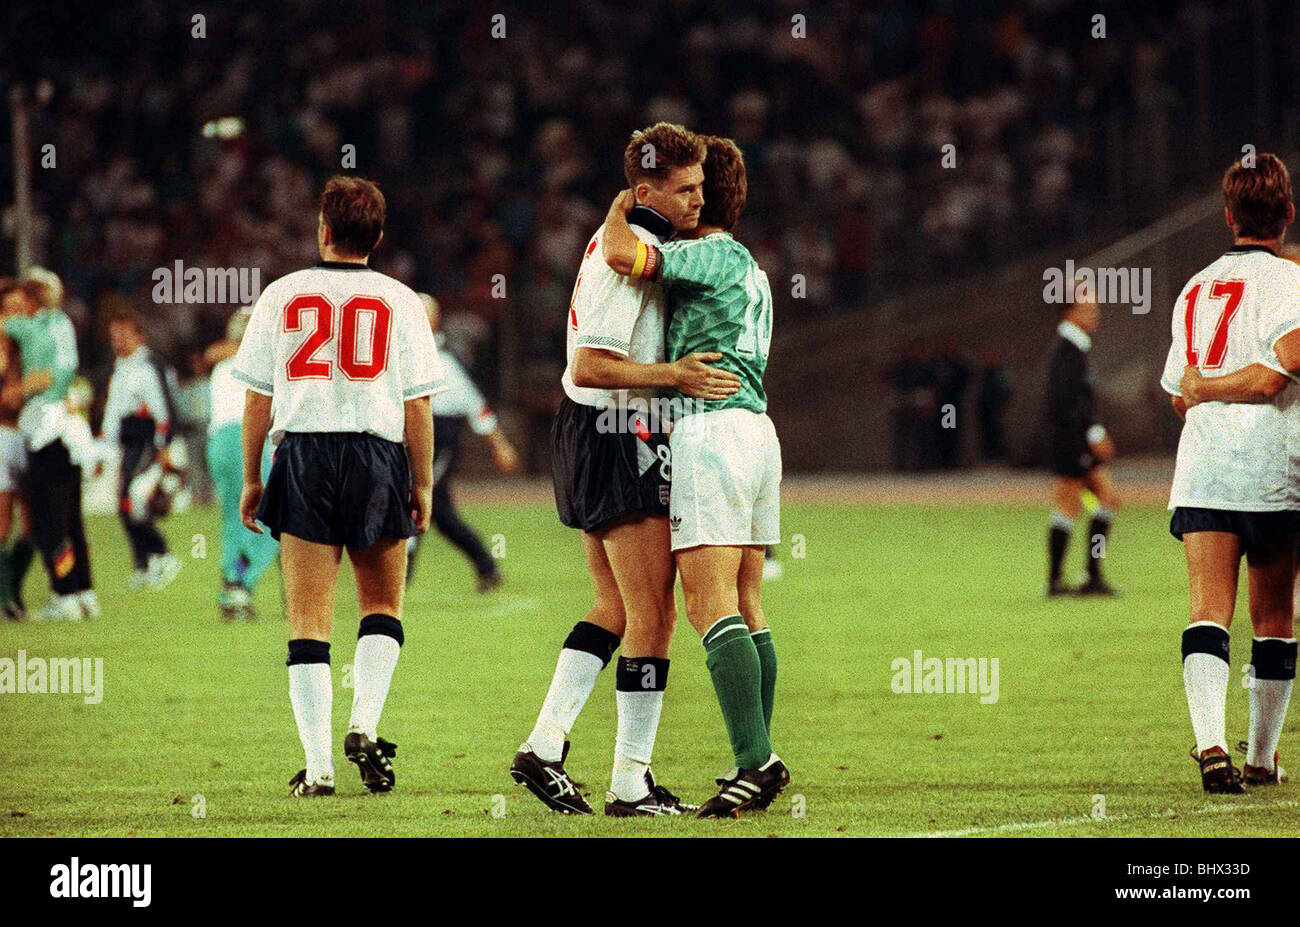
x,y
499,145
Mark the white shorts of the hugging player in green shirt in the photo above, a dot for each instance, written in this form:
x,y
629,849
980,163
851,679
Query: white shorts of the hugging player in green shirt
x,y
726,480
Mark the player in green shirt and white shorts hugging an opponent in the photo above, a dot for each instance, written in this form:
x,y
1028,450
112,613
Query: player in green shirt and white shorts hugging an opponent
x,y
725,508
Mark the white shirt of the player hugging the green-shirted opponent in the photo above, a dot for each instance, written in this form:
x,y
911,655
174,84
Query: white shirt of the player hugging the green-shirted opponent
x,y
616,314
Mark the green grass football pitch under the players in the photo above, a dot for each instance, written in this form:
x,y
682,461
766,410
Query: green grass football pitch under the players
x,y
1090,716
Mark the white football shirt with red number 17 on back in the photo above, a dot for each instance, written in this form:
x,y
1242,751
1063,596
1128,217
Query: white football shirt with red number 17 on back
x,y
1240,457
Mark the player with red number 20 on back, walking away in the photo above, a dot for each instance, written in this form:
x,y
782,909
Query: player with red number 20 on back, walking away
x,y
350,361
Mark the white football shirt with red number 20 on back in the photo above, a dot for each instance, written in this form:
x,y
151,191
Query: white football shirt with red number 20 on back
x,y
341,348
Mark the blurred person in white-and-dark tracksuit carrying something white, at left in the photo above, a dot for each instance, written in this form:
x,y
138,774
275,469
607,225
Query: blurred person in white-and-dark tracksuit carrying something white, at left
x,y
138,424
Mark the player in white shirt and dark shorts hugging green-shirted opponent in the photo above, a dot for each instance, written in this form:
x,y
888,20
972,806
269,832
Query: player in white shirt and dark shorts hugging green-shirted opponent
x,y
612,471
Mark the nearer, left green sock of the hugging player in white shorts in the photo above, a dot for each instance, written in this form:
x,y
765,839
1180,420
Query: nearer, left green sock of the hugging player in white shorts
x,y
734,666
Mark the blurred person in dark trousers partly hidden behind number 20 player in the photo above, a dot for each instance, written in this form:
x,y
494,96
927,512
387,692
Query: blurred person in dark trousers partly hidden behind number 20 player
x,y
458,402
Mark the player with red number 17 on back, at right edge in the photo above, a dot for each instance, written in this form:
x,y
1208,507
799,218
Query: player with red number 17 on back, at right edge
x,y
1237,483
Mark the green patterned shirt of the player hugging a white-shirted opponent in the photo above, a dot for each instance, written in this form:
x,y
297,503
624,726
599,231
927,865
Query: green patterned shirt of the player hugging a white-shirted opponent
x,y
718,300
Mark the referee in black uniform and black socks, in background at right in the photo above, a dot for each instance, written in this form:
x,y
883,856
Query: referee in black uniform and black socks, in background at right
x,y
1081,450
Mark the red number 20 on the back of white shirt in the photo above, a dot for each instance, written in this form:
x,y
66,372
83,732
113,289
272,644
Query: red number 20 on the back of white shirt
x,y
306,366
